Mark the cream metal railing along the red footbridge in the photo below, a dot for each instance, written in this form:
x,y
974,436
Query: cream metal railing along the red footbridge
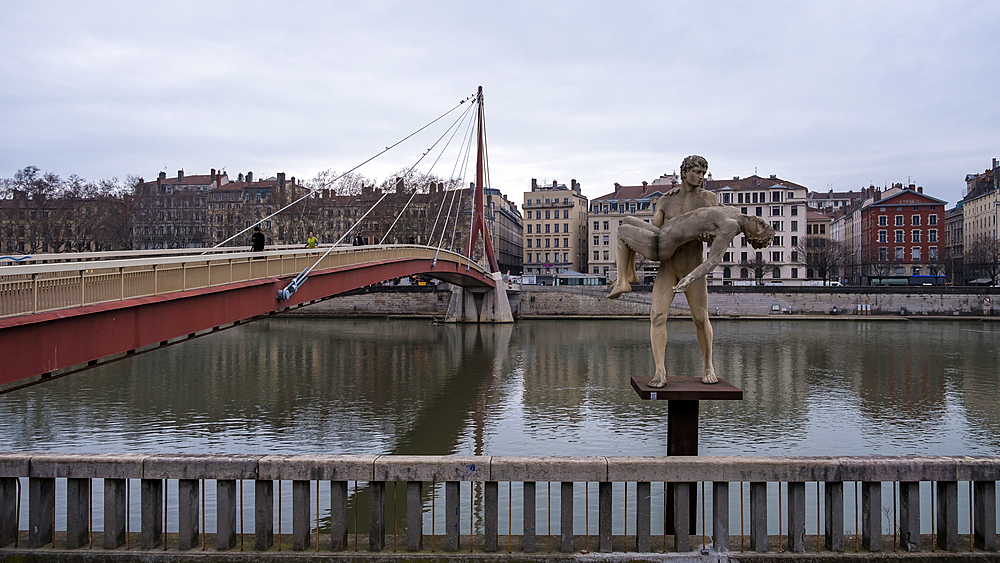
x,y
36,288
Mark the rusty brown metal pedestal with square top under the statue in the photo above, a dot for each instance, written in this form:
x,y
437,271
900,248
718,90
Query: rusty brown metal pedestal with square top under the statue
x,y
682,395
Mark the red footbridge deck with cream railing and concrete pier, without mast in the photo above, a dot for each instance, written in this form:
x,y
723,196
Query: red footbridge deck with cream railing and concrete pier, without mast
x,y
62,313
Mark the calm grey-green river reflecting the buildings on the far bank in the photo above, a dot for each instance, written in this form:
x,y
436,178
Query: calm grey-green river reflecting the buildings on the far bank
x,y
345,386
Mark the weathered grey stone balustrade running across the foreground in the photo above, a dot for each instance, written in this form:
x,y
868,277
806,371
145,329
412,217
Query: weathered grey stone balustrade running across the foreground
x,y
598,501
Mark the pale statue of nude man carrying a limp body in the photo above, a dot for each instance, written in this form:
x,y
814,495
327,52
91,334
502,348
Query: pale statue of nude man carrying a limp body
x,y
684,218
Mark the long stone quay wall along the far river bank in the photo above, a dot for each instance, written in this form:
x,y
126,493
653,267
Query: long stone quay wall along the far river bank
x,y
548,301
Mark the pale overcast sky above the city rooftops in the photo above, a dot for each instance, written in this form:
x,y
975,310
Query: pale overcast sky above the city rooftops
x,y
824,94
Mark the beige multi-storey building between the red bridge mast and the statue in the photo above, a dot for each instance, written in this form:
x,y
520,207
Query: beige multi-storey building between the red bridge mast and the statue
x,y
555,236
